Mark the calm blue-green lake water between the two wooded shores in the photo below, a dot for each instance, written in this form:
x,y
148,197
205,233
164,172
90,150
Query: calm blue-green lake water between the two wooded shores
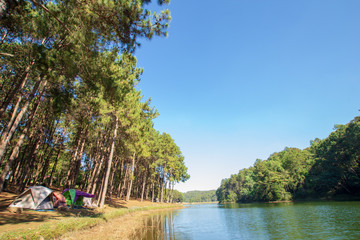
x,y
308,220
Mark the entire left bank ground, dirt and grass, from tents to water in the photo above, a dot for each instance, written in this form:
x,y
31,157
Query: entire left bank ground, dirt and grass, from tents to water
x,y
34,224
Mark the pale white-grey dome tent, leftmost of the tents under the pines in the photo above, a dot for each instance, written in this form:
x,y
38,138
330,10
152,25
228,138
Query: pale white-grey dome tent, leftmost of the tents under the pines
x,y
36,197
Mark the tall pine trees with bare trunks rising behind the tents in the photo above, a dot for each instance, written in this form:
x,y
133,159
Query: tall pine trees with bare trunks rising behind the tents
x,y
70,113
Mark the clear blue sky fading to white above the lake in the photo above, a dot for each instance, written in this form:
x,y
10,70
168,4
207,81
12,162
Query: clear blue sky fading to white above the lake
x,y
238,80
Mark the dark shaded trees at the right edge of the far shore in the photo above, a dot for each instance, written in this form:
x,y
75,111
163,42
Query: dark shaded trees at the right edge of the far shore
x,y
336,170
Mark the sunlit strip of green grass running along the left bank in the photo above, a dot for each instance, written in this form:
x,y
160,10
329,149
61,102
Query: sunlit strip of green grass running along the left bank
x,y
58,228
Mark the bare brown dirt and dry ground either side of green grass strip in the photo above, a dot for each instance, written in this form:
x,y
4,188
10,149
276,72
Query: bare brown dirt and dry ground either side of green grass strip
x,y
10,219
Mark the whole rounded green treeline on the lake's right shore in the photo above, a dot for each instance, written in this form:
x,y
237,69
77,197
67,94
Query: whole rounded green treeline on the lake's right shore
x,y
328,169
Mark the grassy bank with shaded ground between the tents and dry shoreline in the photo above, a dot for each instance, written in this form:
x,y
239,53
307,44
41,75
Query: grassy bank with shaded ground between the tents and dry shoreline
x,y
50,225
